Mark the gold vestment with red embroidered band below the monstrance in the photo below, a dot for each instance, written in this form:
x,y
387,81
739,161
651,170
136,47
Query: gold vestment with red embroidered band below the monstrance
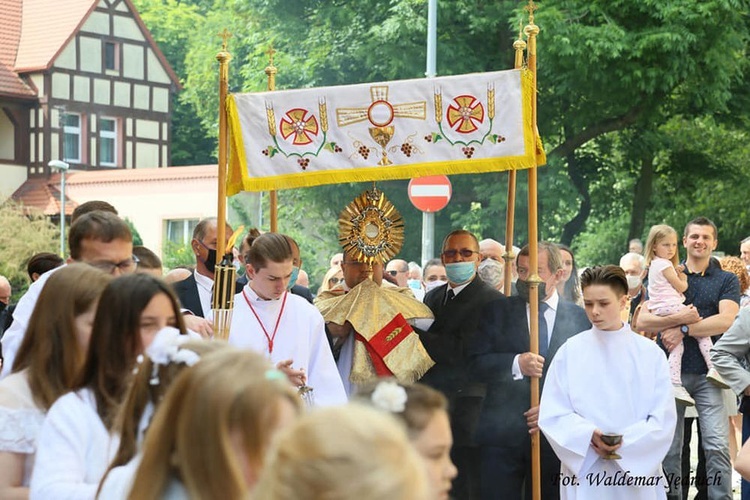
x,y
386,343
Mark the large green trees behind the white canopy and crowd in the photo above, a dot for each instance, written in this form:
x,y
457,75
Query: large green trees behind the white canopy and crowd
x,y
643,106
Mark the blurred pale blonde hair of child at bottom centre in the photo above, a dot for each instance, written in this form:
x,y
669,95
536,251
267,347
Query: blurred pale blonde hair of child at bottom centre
x,y
342,453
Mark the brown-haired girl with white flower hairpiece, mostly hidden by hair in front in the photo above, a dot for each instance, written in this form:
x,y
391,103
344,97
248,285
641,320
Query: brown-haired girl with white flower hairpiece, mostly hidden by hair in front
x,y
167,356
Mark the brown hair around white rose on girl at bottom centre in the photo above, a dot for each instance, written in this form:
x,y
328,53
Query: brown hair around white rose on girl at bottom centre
x,y
422,402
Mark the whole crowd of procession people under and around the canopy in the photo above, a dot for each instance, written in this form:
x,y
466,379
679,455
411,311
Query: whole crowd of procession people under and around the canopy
x,y
392,380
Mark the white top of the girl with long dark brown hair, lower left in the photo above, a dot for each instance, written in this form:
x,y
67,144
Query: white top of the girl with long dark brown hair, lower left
x,y
74,450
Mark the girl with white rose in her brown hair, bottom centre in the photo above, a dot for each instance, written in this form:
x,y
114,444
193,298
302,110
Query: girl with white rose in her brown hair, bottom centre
x,y
425,413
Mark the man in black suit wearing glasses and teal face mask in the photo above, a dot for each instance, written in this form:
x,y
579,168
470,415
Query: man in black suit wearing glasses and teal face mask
x,y
457,306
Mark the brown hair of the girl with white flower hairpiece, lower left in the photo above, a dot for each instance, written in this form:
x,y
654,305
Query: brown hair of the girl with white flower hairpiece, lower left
x,y
142,391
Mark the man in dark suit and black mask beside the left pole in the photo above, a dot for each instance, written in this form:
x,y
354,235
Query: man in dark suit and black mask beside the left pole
x,y
195,291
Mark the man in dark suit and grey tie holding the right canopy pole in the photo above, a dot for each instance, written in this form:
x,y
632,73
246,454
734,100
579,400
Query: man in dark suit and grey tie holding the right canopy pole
x,y
501,358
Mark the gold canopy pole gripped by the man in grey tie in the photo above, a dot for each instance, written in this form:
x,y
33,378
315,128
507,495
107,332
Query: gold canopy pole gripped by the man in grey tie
x,y
531,30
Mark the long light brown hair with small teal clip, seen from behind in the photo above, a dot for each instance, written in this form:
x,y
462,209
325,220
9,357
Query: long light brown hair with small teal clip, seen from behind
x,y
227,392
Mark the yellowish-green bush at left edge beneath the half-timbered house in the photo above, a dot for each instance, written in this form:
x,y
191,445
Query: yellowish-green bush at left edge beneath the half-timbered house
x,y
24,235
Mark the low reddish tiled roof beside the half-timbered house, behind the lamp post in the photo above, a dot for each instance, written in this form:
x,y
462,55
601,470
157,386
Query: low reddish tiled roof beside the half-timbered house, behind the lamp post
x,y
43,194
